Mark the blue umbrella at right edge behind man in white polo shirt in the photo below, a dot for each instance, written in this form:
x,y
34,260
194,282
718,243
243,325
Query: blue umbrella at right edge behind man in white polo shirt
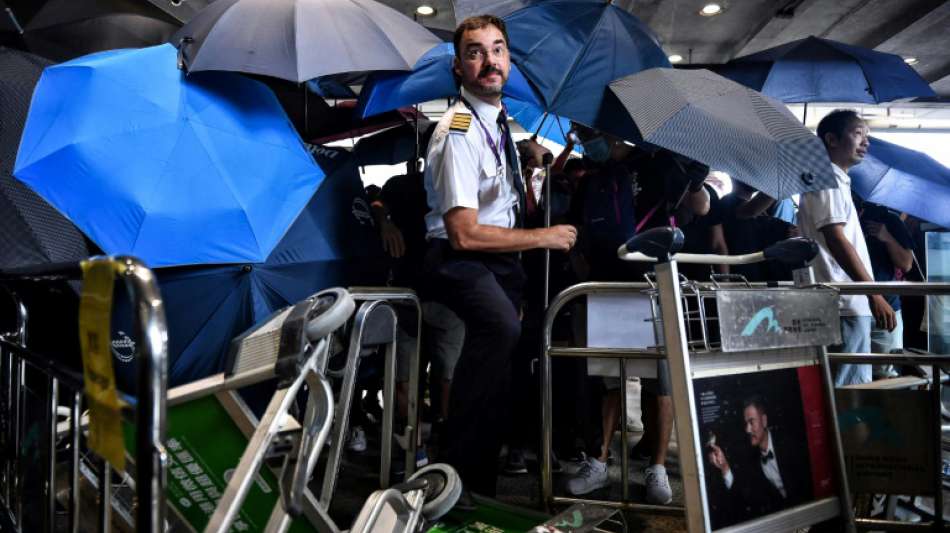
x,y
903,179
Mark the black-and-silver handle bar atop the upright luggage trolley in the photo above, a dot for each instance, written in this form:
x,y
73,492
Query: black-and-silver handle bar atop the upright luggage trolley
x,y
662,245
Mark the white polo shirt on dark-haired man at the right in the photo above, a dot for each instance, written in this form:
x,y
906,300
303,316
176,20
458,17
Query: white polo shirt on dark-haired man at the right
x,y
818,209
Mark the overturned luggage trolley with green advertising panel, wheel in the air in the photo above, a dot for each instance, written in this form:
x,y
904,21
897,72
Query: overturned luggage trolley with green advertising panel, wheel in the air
x,y
292,345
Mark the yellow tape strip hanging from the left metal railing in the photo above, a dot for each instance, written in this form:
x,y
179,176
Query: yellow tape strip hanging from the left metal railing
x,y
95,315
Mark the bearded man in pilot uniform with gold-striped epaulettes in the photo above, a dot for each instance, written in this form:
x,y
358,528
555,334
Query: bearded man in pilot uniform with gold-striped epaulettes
x,y
476,196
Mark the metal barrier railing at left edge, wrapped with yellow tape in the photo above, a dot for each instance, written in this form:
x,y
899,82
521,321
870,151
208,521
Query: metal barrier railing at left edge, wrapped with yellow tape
x,y
61,390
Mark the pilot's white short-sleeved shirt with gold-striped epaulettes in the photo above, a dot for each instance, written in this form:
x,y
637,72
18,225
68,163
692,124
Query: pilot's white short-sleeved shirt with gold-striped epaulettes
x,y
462,171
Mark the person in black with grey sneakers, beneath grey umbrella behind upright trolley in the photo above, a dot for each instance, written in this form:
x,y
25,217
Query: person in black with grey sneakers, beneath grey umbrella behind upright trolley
x,y
627,190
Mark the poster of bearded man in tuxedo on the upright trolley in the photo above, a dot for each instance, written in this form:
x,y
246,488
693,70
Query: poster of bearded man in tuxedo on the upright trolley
x,y
766,446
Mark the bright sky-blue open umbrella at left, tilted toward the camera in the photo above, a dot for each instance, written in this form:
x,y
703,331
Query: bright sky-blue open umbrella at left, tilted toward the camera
x,y
172,169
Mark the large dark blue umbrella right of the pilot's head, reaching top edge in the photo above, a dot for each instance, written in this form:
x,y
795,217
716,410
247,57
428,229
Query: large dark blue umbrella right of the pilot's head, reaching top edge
x,y
570,50
